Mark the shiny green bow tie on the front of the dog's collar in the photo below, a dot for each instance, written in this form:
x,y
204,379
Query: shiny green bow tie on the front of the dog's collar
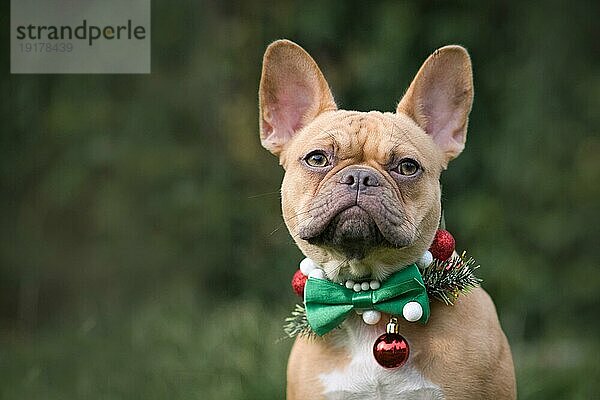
x,y
328,304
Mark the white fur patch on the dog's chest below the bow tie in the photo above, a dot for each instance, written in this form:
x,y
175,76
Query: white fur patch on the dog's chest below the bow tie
x,y
363,378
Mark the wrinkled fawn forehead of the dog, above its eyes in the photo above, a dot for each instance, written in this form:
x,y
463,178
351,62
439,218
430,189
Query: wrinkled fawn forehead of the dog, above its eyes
x,y
361,135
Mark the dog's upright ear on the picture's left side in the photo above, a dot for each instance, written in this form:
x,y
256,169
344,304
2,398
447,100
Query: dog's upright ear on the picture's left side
x,y
292,93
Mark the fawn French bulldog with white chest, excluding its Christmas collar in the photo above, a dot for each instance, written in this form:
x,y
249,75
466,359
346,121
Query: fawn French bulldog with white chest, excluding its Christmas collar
x,y
361,197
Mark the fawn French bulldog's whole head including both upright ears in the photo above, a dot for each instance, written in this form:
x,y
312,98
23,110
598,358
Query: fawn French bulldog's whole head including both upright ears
x,y
361,192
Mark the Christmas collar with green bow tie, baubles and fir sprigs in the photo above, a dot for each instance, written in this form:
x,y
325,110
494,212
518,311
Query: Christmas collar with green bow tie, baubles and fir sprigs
x,y
439,274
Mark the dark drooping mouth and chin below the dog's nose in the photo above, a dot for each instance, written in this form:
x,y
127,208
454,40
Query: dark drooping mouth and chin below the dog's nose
x,y
353,231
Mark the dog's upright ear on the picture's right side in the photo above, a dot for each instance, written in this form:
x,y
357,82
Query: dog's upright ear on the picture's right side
x,y
440,98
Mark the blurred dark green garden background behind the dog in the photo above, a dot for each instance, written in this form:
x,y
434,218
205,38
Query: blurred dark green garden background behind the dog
x,y
143,254
